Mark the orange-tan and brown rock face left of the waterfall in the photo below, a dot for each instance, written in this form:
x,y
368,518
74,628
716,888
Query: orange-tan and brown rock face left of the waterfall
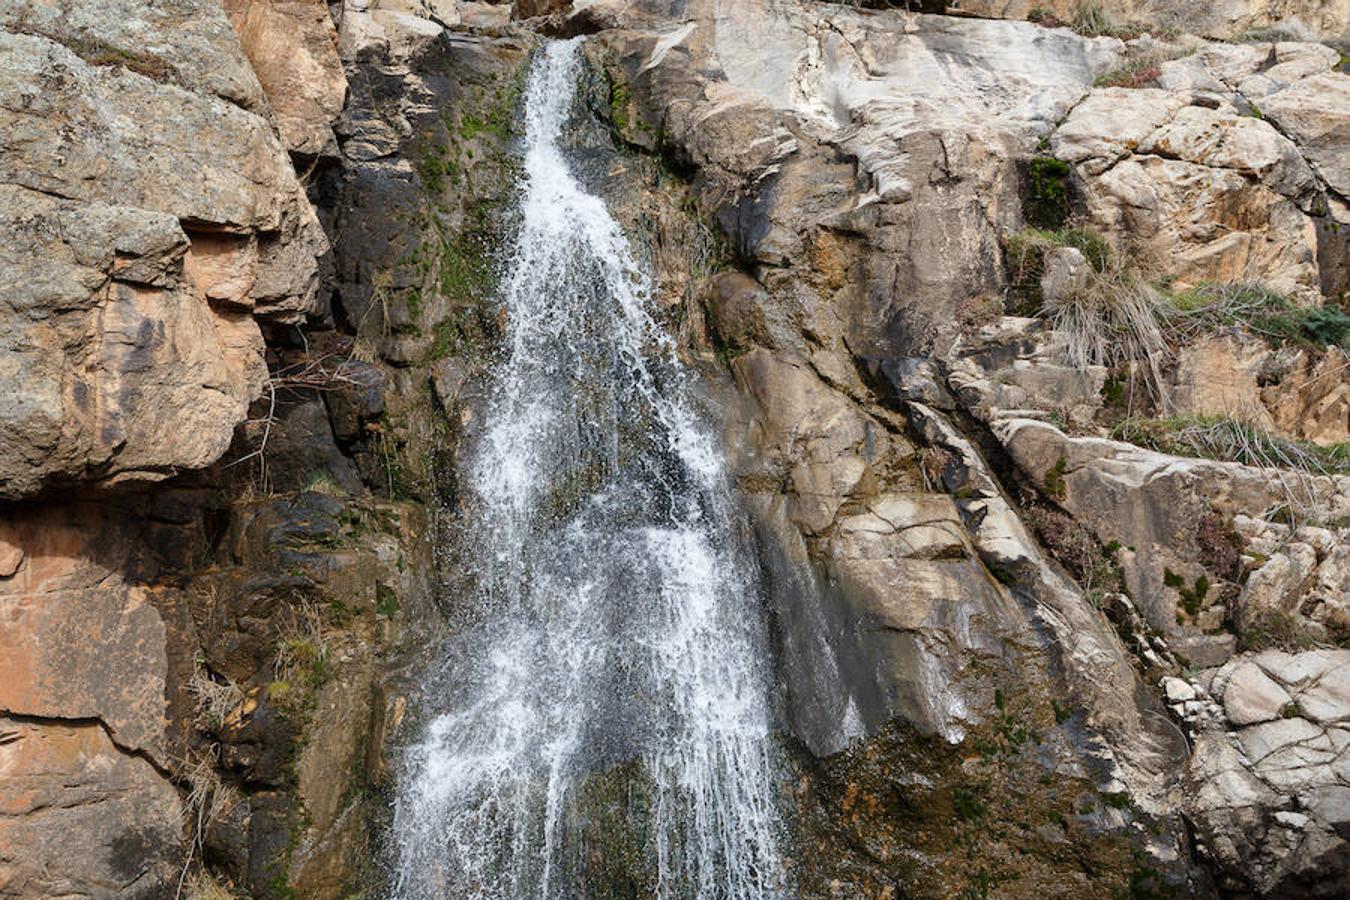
x,y
155,231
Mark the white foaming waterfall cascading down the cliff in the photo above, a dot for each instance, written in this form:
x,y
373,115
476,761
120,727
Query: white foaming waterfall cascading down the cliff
x,y
616,635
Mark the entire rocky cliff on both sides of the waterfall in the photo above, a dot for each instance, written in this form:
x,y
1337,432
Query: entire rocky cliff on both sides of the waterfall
x,y
1019,655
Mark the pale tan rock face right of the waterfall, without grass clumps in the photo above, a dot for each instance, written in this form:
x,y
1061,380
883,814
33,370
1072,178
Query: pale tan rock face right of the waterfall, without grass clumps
x,y
843,159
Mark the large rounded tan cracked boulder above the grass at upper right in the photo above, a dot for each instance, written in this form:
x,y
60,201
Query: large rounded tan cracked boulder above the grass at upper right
x,y
1175,183
